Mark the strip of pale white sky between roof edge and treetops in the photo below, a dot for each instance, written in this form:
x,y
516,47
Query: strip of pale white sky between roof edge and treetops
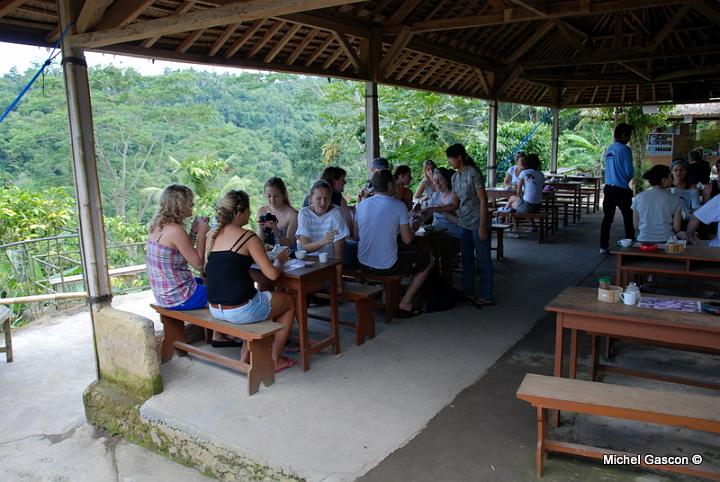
x,y
23,57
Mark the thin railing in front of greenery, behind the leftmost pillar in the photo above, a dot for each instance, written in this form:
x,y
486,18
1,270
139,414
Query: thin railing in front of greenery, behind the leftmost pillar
x,y
52,265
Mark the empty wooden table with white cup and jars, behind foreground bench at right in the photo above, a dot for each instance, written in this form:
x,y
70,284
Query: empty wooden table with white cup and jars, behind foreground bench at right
x,y
578,309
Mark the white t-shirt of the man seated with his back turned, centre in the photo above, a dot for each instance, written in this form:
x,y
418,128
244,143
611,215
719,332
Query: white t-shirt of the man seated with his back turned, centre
x,y
379,219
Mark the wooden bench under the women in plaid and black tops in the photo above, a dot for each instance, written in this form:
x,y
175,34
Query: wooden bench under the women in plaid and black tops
x,y
258,336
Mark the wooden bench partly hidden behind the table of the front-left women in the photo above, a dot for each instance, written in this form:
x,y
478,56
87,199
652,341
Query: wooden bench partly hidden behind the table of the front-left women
x,y
363,297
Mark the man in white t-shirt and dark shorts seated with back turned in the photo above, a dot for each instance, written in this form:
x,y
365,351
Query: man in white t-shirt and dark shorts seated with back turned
x,y
379,220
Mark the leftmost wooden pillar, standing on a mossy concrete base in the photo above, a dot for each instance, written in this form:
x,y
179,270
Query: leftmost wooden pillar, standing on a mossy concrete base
x,y
90,214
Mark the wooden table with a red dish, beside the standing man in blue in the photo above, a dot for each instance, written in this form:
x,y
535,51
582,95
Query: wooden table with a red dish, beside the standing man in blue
x,y
696,262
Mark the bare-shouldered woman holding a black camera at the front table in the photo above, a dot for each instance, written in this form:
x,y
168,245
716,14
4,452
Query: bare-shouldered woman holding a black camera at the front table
x,y
277,220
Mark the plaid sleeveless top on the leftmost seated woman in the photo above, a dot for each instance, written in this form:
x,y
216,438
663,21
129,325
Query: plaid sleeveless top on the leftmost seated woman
x,y
171,281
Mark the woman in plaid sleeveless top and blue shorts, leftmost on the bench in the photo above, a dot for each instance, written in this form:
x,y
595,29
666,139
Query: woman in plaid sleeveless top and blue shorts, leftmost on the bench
x,y
170,249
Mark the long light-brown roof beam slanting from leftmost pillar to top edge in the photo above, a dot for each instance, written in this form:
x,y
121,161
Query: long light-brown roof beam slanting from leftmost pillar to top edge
x,y
212,17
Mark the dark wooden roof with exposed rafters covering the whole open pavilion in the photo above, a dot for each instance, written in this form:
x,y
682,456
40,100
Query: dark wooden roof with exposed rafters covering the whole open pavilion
x,y
540,52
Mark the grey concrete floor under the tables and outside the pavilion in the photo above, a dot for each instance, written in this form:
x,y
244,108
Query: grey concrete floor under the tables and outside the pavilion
x,y
430,398
